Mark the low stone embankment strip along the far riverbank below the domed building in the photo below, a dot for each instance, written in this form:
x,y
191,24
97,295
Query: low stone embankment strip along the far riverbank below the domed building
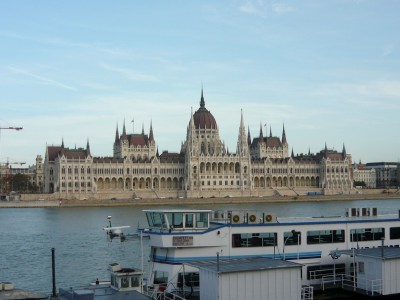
x,y
195,201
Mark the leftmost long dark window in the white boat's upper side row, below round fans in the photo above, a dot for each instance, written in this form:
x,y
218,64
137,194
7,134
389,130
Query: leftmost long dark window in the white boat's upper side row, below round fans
x,y
265,239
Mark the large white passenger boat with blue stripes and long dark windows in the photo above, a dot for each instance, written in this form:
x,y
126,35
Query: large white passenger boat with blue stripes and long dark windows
x,y
181,236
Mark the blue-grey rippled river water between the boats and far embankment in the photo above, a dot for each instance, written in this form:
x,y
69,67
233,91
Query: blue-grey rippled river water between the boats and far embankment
x,y
82,250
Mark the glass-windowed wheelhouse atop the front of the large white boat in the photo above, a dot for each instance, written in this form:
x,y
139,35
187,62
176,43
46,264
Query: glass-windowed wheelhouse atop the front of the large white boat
x,y
178,220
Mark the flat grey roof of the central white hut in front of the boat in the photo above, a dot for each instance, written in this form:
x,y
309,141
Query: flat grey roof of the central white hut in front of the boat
x,y
233,265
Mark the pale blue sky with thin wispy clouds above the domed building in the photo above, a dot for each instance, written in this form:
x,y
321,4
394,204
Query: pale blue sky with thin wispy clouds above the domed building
x,y
329,71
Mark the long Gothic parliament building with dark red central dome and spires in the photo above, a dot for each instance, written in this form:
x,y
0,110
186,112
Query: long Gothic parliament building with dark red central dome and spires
x,y
260,166
